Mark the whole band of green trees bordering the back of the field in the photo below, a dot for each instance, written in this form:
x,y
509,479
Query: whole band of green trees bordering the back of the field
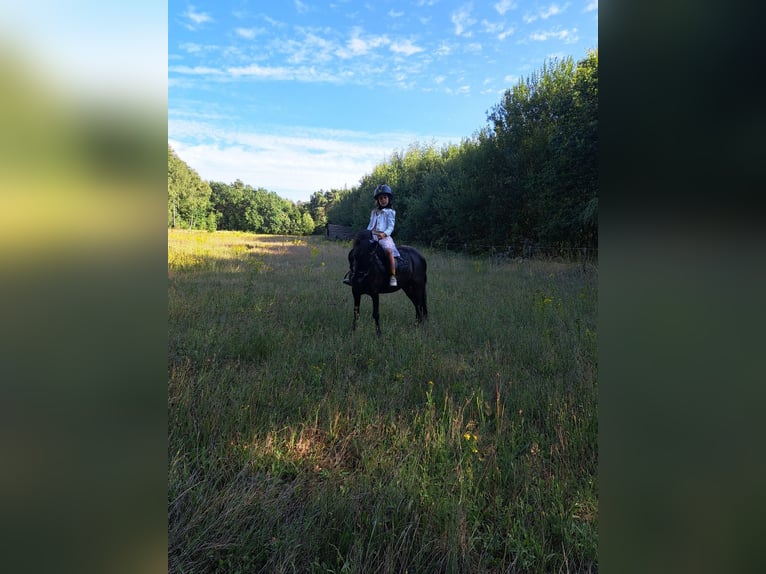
x,y
529,175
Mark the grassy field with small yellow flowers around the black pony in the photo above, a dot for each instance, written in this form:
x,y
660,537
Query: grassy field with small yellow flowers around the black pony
x,y
296,445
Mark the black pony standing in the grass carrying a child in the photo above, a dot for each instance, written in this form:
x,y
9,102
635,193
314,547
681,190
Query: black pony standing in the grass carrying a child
x,y
369,275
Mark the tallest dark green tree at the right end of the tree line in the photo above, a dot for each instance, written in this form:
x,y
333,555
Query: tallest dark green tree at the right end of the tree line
x,y
544,133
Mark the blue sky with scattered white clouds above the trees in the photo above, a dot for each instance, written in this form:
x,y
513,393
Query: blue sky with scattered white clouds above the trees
x,y
298,96
